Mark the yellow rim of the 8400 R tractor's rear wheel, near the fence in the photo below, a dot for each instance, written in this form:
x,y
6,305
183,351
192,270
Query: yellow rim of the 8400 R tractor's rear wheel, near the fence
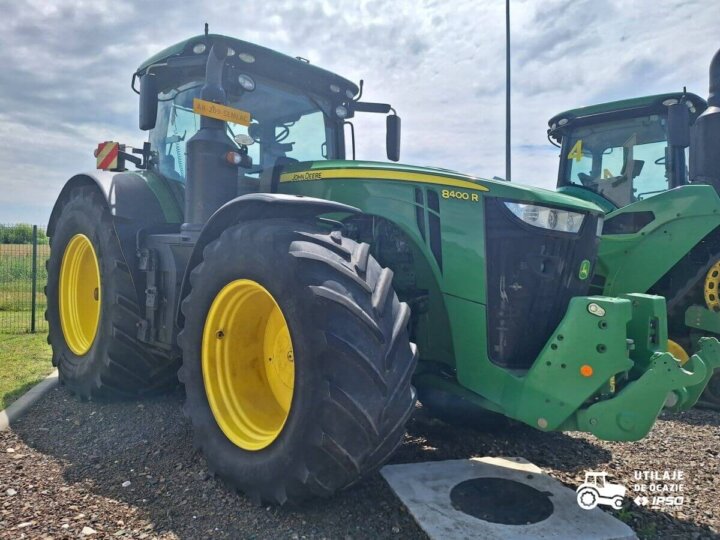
x,y
79,296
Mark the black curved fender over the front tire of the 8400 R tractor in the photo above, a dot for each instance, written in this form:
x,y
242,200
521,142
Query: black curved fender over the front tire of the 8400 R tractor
x,y
252,207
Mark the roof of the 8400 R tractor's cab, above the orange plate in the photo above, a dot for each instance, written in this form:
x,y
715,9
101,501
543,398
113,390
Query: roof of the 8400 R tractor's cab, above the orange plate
x,y
263,58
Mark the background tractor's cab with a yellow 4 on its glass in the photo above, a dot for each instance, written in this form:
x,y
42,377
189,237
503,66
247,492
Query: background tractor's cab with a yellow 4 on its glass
x,y
615,154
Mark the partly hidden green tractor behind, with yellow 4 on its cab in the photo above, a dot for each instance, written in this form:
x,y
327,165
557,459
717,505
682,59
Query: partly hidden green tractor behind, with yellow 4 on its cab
x,y
662,225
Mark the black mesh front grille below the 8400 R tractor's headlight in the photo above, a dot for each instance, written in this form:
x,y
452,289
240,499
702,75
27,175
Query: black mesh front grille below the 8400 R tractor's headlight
x,y
532,274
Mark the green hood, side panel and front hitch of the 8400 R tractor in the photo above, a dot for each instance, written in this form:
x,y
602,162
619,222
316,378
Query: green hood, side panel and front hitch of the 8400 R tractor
x,y
552,394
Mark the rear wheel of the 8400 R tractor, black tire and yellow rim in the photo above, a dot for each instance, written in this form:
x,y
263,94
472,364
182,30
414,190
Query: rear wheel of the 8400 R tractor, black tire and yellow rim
x,y
92,308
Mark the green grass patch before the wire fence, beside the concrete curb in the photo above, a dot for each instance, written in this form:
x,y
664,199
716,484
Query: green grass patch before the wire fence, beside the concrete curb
x,y
24,361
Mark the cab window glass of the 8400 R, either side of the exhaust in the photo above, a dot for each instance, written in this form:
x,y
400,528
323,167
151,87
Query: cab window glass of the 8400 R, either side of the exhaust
x,y
286,127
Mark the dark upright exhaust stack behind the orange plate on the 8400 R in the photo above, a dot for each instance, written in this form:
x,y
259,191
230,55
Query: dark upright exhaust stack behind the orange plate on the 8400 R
x,y
210,180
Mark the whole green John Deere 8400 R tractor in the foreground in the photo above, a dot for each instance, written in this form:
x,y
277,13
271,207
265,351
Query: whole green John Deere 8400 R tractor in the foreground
x,y
300,293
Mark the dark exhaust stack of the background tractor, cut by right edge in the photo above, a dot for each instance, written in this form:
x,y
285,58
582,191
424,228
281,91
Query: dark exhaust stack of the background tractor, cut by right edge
x,y
705,135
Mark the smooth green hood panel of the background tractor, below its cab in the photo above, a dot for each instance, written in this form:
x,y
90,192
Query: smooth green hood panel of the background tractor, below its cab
x,y
635,262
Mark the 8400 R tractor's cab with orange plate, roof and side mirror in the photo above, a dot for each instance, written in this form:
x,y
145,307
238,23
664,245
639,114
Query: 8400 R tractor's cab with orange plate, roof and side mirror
x,y
277,110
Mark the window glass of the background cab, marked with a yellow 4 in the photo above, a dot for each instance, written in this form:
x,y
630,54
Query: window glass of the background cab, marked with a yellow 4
x,y
624,160
